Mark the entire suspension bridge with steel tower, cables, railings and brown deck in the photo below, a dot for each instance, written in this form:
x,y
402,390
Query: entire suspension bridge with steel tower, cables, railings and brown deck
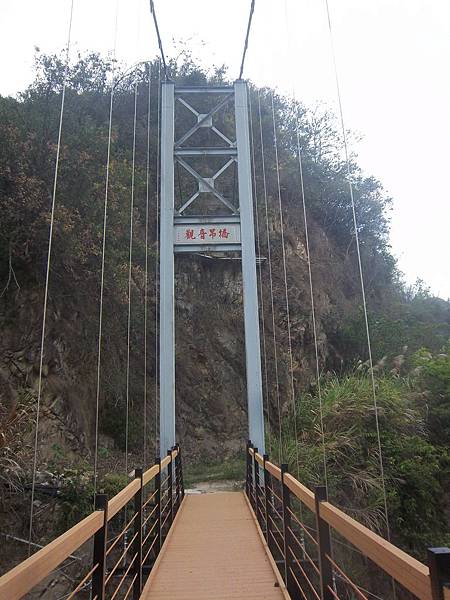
x,y
277,538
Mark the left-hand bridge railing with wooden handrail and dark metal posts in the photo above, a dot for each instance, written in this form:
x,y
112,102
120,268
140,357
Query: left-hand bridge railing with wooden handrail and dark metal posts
x,y
122,552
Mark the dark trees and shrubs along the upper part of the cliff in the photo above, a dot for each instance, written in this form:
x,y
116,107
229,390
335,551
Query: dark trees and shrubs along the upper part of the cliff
x,y
29,130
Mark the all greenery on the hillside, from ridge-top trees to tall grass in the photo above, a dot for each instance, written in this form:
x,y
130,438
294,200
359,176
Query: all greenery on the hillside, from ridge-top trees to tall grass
x,y
413,411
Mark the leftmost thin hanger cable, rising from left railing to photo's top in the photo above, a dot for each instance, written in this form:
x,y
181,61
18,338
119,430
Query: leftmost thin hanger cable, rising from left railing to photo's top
x,y
47,277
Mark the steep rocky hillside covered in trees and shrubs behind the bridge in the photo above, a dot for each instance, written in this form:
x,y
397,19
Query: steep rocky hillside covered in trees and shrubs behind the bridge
x,y
409,327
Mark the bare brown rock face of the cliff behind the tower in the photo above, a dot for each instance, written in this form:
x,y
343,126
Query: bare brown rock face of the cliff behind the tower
x,y
210,360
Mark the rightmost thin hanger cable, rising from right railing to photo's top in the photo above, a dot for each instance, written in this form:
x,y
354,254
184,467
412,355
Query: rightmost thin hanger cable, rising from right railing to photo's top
x,y
361,273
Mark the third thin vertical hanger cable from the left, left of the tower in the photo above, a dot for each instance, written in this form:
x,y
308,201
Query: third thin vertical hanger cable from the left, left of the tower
x,y
130,264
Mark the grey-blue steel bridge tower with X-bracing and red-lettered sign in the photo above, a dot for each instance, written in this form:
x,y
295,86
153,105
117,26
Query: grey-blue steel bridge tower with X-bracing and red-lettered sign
x,y
218,225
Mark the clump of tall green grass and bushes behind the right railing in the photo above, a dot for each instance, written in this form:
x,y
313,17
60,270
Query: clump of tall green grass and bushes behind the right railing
x,y
415,470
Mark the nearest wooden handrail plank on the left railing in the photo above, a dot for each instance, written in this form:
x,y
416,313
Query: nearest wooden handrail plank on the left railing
x,y
20,580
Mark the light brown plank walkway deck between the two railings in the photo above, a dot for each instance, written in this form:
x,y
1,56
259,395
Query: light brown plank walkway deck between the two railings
x,y
214,550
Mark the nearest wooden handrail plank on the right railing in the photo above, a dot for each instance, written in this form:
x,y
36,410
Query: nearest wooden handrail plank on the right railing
x,y
405,569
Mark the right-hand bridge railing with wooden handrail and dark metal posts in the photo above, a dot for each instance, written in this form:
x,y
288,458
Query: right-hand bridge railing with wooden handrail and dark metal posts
x,y
303,530
